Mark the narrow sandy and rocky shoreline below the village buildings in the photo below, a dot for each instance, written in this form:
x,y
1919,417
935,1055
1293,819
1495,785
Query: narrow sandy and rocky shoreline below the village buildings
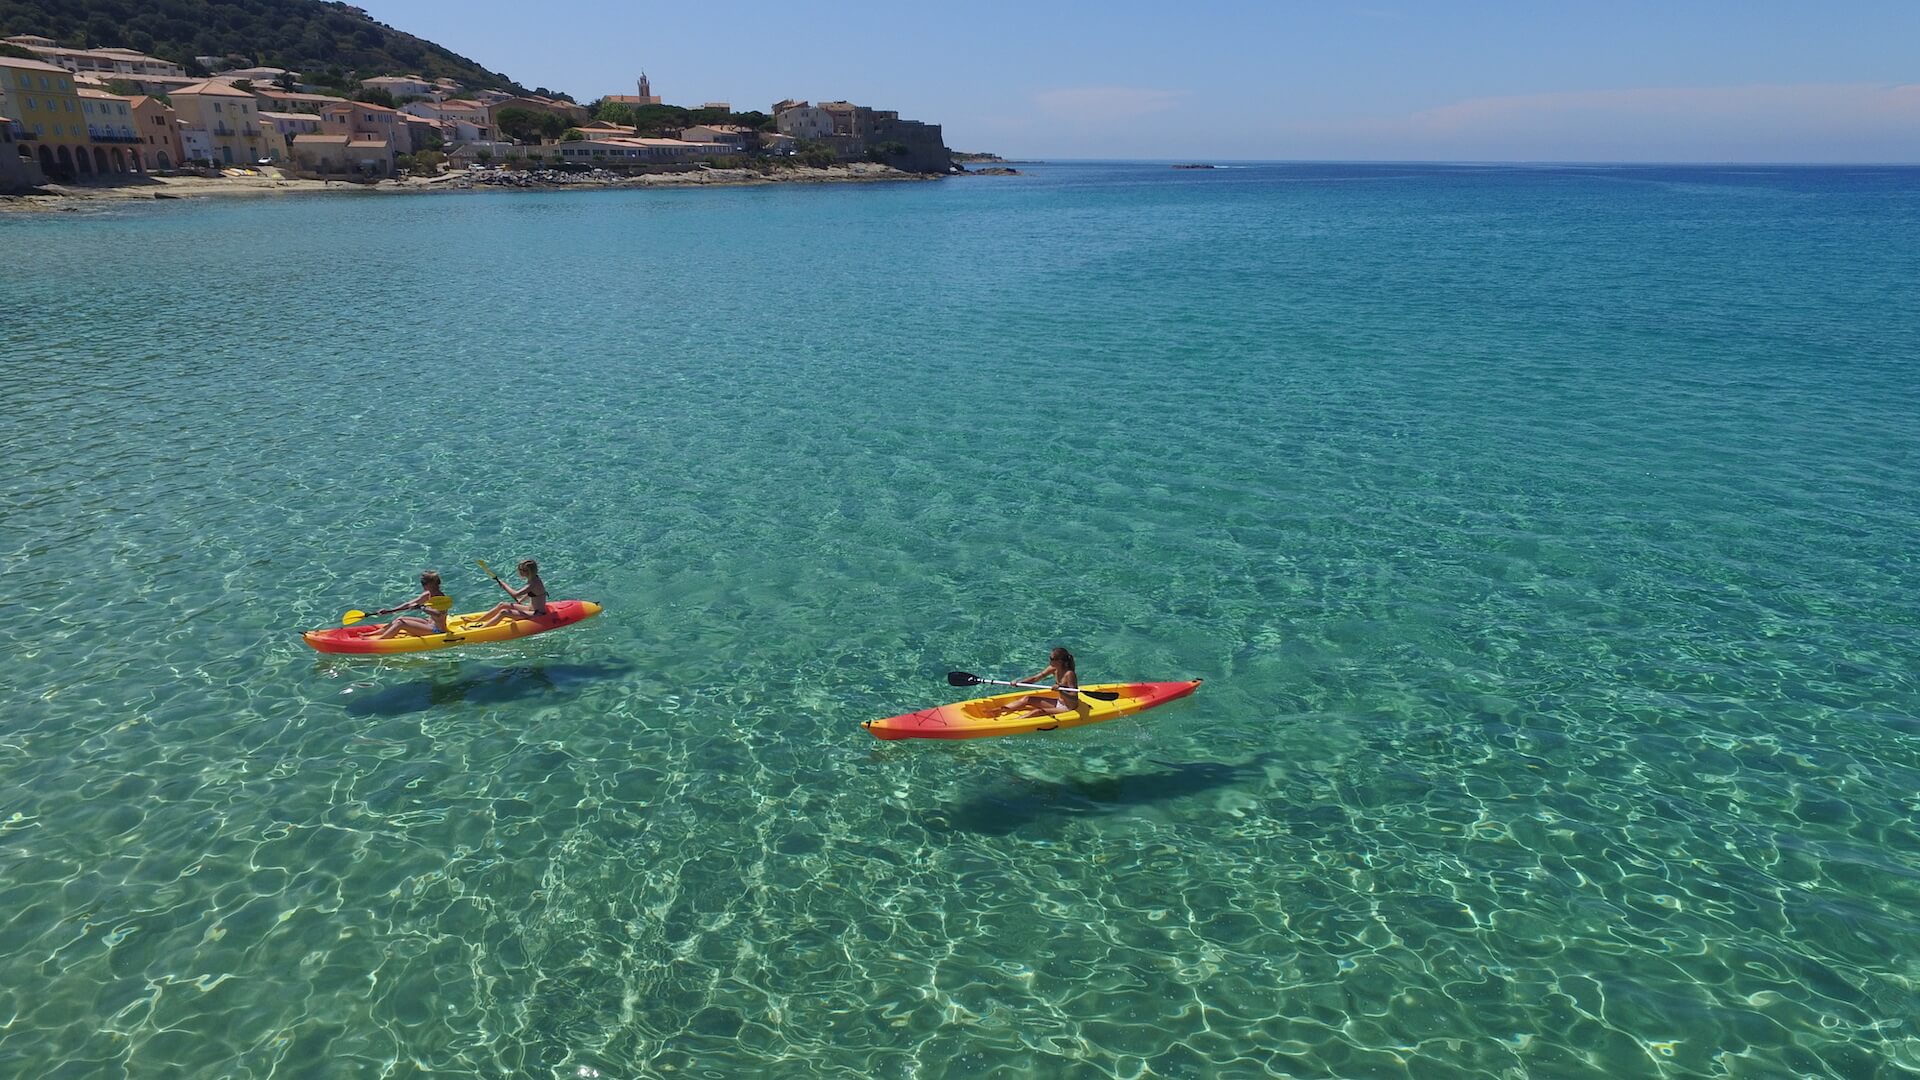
x,y
274,184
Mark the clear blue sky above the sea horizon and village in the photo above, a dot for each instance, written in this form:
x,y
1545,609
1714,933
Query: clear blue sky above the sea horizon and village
x,y
1468,82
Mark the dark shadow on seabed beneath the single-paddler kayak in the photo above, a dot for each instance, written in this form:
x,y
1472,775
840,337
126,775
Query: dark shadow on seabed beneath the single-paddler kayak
x,y
1026,802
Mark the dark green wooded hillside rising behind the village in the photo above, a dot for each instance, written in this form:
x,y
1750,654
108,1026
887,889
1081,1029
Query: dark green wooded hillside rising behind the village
x,y
304,36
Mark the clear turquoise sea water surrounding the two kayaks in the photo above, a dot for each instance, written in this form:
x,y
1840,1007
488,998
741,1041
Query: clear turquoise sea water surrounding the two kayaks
x,y
1545,539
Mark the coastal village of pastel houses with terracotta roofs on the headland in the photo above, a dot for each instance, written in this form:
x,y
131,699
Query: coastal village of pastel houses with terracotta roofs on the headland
x,y
116,116
